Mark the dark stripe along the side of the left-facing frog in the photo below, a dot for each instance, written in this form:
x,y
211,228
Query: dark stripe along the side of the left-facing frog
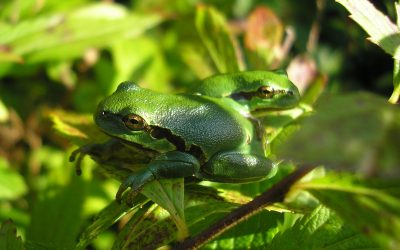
x,y
178,142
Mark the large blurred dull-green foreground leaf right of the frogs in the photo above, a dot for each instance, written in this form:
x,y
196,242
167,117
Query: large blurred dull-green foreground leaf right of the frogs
x,y
352,131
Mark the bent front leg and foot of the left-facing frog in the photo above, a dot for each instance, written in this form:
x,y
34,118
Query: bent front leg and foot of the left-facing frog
x,y
170,165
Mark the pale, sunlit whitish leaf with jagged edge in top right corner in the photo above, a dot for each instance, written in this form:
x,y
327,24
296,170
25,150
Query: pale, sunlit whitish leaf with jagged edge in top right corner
x,y
381,30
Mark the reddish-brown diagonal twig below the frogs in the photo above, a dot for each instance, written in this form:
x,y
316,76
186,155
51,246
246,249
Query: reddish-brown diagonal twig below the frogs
x,y
275,194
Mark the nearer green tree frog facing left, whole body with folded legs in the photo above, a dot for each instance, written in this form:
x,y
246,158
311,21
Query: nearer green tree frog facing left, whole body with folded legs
x,y
194,135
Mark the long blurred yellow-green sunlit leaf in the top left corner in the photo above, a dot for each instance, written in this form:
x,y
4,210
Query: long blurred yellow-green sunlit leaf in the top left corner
x,y
48,37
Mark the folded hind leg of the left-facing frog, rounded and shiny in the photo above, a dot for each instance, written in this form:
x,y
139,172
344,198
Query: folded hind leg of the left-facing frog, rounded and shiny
x,y
236,167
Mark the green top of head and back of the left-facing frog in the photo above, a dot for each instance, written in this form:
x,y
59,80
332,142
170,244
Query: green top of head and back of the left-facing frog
x,y
196,120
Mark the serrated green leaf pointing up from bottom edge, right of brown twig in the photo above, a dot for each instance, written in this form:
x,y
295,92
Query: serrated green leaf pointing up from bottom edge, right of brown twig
x,y
321,229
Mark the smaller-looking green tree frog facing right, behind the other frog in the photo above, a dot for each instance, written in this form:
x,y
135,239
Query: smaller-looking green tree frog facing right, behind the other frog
x,y
257,91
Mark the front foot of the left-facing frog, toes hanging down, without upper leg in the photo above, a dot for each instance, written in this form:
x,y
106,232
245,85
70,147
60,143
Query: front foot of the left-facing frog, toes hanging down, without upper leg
x,y
136,183
